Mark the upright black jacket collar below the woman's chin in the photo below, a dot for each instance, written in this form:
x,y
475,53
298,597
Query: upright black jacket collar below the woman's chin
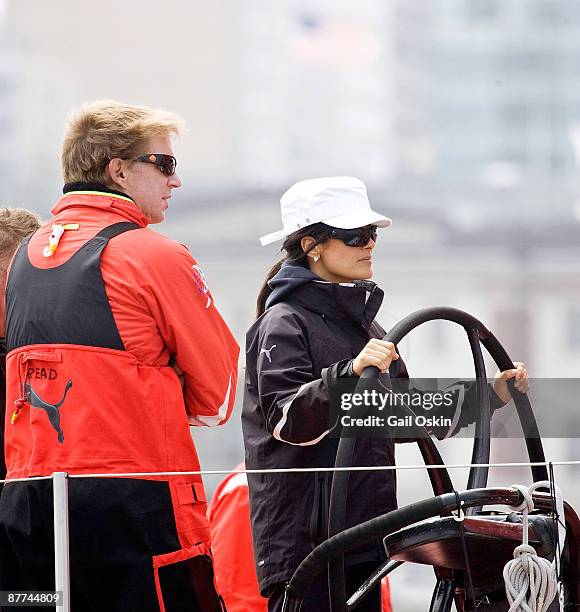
x,y
358,301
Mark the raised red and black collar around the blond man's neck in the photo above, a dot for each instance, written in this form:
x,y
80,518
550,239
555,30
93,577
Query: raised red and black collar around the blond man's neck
x,y
95,195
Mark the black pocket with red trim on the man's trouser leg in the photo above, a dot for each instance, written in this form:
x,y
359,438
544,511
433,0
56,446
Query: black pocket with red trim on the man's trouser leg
x,y
184,579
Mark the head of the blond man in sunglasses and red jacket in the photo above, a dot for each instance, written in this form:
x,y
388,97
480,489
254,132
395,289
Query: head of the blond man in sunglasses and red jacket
x,y
103,142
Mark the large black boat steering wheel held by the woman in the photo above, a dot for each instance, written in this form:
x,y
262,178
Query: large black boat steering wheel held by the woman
x,y
332,551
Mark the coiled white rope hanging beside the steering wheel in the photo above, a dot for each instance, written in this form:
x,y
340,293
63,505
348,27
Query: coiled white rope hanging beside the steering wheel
x,y
531,581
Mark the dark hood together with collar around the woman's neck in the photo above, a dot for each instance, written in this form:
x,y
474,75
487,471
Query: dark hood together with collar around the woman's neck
x,y
359,300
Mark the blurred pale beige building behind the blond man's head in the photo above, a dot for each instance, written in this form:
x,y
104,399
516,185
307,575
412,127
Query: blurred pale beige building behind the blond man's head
x,y
78,51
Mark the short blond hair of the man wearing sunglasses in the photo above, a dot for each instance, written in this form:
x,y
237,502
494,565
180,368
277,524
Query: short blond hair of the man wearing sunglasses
x,y
102,130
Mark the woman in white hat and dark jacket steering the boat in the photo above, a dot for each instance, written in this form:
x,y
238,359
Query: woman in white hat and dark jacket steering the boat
x,y
316,324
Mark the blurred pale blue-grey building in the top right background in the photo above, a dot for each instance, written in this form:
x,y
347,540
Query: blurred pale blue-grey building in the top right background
x,y
499,89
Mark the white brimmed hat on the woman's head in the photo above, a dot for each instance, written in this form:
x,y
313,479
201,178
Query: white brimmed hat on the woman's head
x,y
339,201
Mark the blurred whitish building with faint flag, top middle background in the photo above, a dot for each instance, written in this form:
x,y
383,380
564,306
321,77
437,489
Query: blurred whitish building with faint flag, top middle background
x,y
316,90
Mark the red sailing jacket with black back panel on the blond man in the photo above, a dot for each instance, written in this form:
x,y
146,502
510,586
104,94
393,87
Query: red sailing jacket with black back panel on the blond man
x,y
85,407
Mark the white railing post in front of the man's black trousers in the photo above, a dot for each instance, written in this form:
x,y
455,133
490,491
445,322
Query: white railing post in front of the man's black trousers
x,y
61,538
